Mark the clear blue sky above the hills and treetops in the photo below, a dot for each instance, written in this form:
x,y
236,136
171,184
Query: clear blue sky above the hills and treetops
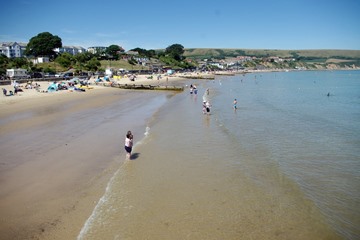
x,y
156,24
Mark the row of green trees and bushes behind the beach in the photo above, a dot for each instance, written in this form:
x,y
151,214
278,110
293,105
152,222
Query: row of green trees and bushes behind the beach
x,y
44,44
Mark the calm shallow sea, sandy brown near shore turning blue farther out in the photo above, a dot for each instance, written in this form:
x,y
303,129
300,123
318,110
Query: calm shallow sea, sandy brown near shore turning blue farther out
x,y
284,165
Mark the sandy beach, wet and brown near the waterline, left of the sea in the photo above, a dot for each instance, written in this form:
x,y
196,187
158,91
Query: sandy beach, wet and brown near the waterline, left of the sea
x,y
50,185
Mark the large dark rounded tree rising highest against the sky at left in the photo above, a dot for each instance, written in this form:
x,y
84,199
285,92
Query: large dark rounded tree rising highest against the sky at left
x,y
43,45
